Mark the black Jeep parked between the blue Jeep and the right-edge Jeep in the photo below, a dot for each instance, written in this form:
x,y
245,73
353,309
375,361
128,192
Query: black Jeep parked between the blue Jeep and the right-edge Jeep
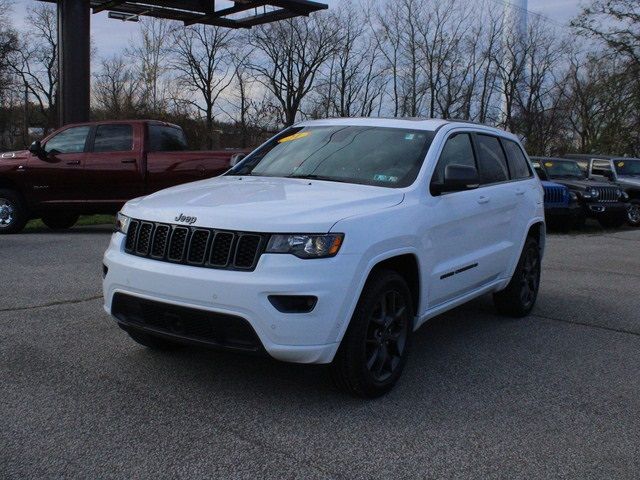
x,y
605,202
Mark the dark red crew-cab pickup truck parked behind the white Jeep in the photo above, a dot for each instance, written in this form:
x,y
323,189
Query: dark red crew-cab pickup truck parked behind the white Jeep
x,y
95,168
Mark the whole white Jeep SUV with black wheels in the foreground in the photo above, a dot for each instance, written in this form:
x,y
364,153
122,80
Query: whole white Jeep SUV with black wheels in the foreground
x,y
331,243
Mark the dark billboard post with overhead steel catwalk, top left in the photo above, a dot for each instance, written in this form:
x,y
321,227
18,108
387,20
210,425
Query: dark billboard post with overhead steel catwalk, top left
x,y
74,32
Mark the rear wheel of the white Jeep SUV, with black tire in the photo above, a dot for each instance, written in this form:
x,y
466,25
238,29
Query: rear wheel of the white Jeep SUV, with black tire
x,y
518,299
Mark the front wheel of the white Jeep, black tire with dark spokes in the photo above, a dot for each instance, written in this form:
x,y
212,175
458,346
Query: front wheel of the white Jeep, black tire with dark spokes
x,y
375,348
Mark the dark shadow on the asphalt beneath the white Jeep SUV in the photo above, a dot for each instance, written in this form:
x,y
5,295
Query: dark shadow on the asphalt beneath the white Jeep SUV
x,y
438,346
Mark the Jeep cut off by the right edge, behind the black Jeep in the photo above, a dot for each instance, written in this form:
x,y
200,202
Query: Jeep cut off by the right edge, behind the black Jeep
x,y
622,171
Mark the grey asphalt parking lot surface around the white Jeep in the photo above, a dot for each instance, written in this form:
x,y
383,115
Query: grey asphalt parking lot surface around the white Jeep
x,y
555,395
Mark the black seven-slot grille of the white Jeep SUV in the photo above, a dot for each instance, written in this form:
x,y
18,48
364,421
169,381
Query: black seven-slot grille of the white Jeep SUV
x,y
195,246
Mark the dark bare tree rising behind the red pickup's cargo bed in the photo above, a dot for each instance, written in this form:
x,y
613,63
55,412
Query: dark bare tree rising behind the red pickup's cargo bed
x,y
203,62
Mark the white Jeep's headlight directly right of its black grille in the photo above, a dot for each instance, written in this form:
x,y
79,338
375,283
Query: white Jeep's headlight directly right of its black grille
x,y
306,246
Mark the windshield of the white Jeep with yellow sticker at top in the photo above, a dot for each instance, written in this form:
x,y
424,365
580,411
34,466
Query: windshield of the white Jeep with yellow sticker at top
x,y
386,157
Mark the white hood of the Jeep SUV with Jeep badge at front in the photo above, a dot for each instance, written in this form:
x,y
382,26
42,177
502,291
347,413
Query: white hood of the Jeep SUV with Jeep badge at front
x,y
262,204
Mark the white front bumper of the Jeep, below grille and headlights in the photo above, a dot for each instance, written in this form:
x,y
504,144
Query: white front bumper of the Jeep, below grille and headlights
x,y
298,337
